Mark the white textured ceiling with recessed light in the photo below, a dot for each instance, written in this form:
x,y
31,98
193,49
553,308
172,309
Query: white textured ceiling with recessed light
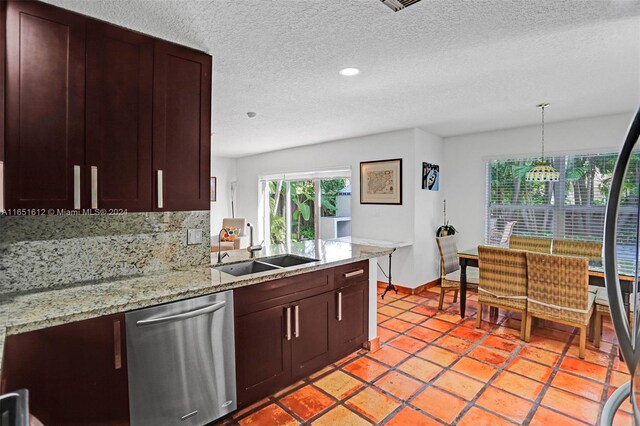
x,y
447,66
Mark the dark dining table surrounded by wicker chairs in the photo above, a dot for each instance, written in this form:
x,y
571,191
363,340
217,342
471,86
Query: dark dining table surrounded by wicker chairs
x,y
626,274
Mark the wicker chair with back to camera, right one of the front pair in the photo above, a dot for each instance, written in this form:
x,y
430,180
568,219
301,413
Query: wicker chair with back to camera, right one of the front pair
x,y
558,290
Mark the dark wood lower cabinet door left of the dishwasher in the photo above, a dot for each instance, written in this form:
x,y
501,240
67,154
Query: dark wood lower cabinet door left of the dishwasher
x,y
76,373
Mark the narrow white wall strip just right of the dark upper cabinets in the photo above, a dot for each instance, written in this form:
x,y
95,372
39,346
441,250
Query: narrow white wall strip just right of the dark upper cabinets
x,y
224,169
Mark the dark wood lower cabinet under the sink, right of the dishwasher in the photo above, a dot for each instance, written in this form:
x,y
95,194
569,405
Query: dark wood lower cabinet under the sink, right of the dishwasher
x,y
290,338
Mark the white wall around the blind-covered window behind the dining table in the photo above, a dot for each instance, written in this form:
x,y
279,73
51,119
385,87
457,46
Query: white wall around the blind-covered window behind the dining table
x,y
463,177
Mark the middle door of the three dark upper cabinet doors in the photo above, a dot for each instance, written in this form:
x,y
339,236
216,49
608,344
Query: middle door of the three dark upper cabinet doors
x,y
119,107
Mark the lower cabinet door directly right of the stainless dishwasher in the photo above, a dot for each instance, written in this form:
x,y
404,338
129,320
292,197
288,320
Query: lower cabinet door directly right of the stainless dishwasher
x,y
263,354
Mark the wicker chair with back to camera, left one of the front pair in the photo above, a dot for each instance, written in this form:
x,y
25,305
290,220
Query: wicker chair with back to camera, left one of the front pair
x,y
503,281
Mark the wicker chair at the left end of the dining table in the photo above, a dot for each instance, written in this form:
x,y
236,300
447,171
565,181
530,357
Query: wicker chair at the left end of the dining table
x,y
450,269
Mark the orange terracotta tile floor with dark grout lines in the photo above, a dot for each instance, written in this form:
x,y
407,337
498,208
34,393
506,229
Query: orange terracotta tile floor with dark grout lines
x,y
433,368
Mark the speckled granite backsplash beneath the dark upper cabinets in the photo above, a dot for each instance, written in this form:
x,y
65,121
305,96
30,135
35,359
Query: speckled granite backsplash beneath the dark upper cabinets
x,y
47,251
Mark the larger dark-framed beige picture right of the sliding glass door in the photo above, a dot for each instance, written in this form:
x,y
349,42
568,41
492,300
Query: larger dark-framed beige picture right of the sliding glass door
x,y
381,182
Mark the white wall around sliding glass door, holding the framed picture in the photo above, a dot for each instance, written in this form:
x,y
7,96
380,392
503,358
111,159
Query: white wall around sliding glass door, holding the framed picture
x,y
382,222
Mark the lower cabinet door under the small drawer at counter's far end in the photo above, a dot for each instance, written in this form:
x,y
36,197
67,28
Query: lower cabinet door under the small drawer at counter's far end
x,y
350,324
